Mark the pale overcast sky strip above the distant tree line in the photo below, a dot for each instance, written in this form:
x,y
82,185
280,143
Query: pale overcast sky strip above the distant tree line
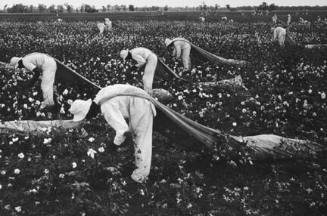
x,y
171,3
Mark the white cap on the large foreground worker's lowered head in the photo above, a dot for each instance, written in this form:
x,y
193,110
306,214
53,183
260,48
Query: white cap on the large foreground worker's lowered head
x,y
80,108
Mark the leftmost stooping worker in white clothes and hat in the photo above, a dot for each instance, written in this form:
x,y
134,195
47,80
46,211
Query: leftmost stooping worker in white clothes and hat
x,y
39,63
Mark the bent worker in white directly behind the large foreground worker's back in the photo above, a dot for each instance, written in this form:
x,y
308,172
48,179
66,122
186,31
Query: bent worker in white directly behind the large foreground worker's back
x,y
143,57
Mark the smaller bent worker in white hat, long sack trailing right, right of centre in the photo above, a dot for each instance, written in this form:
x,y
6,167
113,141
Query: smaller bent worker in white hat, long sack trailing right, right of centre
x,y
180,48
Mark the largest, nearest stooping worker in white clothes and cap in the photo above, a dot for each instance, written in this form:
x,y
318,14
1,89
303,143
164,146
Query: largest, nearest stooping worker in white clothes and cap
x,y
115,110
